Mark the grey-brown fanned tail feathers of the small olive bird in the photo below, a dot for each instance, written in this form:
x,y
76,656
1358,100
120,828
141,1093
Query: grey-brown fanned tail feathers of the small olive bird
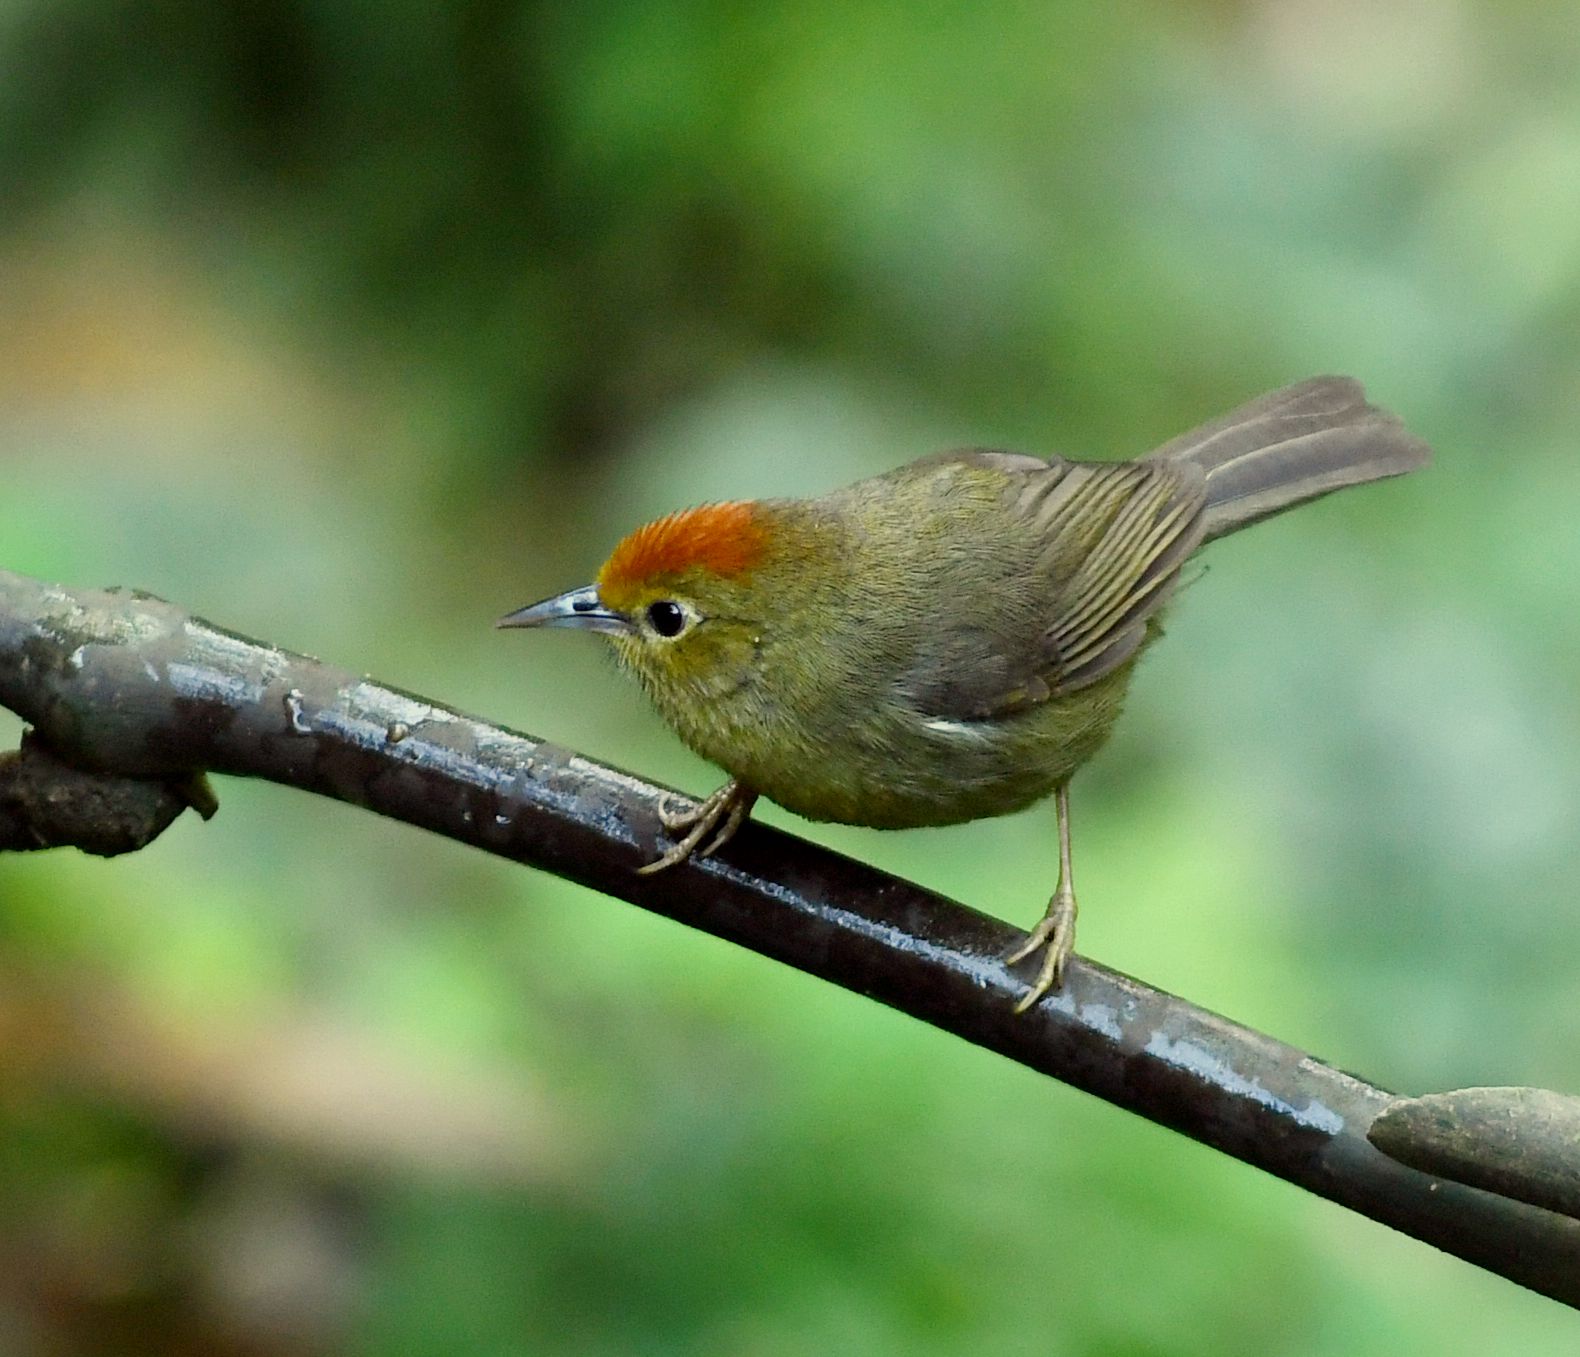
x,y
1292,446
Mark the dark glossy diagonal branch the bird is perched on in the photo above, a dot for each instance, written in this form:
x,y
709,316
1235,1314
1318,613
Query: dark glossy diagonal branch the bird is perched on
x,y
124,685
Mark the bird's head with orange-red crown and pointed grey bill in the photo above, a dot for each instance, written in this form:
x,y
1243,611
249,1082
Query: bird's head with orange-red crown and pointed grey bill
x,y
680,601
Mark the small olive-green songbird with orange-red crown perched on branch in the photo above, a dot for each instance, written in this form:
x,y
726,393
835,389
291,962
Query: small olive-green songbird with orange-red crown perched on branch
x,y
952,639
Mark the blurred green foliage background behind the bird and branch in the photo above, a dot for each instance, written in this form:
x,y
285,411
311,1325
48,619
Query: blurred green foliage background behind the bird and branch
x,y
353,326
